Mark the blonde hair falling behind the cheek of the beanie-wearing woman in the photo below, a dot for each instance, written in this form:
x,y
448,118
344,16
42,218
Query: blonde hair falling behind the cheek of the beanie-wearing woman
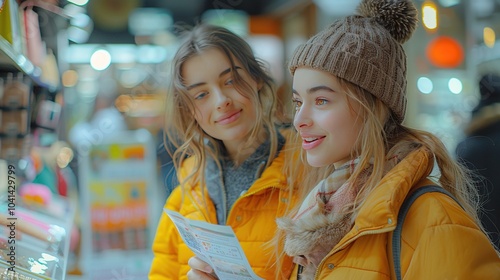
x,y
382,134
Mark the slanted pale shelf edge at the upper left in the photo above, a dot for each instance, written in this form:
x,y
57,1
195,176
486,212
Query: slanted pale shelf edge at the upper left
x,y
10,60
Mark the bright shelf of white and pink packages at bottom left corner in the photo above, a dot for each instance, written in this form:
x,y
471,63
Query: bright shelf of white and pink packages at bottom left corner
x,y
34,239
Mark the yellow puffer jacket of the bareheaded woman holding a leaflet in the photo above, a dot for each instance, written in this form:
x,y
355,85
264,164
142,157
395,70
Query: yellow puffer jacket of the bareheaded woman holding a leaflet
x,y
252,218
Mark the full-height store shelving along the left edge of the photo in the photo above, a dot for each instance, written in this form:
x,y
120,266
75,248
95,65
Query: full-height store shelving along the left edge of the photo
x,y
34,237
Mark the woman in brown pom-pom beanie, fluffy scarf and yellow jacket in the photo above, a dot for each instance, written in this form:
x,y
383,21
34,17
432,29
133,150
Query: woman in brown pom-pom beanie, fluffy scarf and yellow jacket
x,y
349,90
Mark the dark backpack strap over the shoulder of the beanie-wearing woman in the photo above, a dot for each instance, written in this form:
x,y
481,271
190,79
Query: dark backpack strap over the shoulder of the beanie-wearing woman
x,y
403,211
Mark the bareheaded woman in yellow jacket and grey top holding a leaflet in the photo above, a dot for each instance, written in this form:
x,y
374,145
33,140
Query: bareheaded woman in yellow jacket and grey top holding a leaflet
x,y
230,154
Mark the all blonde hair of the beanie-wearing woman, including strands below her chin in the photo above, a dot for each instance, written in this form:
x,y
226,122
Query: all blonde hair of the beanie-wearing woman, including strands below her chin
x,y
381,134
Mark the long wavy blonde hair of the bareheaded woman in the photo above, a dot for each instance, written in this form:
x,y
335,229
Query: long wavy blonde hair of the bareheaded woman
x,y
181,128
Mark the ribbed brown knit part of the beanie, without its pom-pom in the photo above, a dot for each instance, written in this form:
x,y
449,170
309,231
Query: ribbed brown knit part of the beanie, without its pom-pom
x,y
361,51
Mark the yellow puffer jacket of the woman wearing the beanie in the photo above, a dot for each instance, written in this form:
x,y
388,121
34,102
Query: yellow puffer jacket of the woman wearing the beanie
x,y
439,241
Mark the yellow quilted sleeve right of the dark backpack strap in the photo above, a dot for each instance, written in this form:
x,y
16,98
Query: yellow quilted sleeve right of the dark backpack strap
x,y
445,243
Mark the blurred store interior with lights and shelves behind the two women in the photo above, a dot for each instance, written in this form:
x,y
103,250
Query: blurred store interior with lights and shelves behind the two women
x,y
82,82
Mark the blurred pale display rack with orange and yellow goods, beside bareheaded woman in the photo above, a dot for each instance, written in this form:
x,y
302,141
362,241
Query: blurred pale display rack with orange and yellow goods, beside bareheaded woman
x,y
119,204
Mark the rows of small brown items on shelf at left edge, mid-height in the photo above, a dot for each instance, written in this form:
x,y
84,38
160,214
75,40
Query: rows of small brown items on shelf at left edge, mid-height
x,y
14,113
